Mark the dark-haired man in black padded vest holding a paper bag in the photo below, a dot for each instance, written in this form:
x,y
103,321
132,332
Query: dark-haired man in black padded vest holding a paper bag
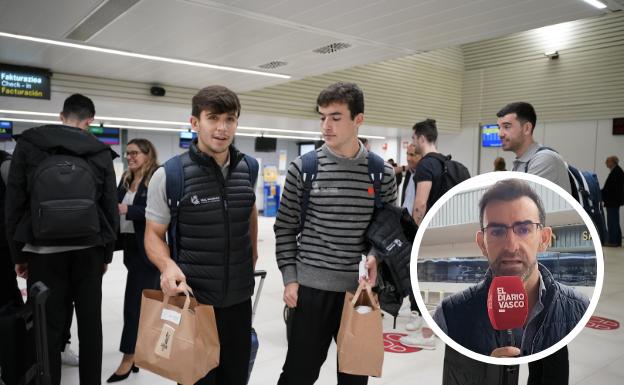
x,y
217,229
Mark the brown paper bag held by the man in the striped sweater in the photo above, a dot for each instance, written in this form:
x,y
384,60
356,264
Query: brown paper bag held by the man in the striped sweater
x,y
360,338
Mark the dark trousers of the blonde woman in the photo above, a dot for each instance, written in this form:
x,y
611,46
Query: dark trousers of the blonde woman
x,y
140,276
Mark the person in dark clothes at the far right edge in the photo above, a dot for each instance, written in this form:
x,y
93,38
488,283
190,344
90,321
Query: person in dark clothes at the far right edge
x,y
613,197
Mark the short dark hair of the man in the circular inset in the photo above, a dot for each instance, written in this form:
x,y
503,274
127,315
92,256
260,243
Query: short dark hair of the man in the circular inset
x,y
509,190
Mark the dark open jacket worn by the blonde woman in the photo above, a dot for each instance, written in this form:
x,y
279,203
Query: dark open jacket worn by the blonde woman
x,y
136,214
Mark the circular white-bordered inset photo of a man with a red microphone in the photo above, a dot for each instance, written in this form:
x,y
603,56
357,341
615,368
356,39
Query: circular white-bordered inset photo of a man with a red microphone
x,y
508,266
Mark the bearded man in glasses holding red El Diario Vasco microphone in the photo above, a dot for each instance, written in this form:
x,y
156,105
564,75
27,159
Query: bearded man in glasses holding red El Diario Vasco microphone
x,y
512,221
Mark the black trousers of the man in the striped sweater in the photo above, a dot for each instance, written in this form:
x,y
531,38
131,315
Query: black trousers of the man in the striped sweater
x,y
316,322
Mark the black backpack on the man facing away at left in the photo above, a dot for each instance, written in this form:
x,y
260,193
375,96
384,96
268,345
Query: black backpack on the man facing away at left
x,y
63,199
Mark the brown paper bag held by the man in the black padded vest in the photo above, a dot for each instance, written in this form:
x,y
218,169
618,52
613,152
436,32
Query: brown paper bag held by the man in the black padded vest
x,y
177,337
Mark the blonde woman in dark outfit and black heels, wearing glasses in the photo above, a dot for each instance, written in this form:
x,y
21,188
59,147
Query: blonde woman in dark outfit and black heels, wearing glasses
x,y
142,274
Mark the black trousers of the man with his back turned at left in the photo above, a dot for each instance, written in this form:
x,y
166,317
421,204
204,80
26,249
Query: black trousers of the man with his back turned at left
x,y
73,274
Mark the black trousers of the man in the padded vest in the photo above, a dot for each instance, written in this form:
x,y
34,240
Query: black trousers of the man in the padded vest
x,y
234,328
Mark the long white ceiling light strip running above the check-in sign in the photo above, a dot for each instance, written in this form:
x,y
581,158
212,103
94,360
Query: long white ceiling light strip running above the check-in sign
x,y
141,56
